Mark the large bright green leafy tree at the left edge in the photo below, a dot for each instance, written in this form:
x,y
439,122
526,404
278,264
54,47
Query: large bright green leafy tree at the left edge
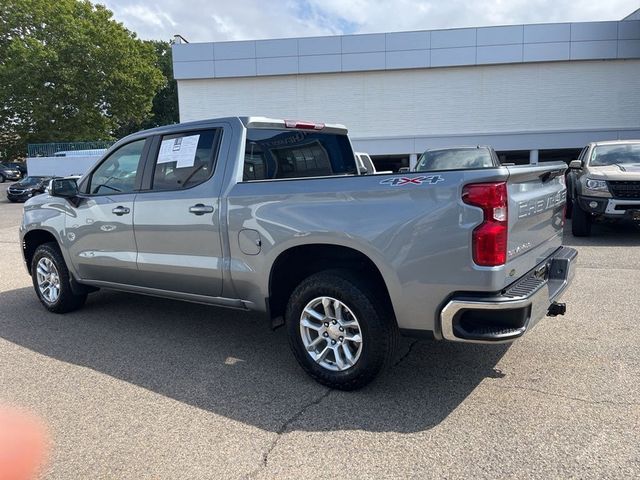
x,y
69,72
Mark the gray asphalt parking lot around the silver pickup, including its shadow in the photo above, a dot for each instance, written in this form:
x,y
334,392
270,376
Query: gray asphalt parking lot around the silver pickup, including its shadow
x,y
137,387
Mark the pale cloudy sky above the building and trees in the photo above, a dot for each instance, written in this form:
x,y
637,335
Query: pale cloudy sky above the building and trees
x,y
219,20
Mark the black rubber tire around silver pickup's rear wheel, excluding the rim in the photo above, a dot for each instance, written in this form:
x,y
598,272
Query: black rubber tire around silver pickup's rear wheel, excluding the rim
x,y
378,328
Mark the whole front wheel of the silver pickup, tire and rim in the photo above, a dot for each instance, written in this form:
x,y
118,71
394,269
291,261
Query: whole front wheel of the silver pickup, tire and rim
x,y
52,280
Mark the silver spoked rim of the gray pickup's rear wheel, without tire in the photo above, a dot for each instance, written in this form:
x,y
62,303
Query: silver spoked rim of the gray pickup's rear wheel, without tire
x,y
331,334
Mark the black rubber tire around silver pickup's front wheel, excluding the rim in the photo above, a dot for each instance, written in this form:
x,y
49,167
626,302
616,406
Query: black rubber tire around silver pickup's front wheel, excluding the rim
x,y
66,301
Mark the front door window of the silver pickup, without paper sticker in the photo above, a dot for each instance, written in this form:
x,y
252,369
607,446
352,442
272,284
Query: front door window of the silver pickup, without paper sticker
x,y
118,173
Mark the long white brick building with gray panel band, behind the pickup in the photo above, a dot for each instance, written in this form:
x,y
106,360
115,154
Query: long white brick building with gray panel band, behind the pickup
x,y
534,92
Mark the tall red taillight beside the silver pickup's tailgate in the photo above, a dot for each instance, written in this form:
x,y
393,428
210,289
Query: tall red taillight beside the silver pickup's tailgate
x,y
490,237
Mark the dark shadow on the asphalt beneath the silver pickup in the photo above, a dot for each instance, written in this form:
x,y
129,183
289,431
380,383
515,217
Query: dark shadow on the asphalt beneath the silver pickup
x,y
232,364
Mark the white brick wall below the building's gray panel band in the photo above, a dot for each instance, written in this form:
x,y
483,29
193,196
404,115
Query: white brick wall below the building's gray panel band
x,y
535,97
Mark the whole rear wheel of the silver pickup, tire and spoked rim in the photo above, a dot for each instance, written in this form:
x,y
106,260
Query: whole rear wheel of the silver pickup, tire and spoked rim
x,y
340,332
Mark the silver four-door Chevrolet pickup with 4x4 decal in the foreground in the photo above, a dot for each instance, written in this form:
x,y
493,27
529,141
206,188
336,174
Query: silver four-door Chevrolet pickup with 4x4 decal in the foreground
x,y
269,215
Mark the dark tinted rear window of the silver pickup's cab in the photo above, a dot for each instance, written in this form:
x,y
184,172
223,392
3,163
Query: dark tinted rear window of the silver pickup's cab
x,y
272,154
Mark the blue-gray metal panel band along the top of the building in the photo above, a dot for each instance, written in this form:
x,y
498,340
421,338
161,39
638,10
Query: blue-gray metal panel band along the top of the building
x,y
409,50
